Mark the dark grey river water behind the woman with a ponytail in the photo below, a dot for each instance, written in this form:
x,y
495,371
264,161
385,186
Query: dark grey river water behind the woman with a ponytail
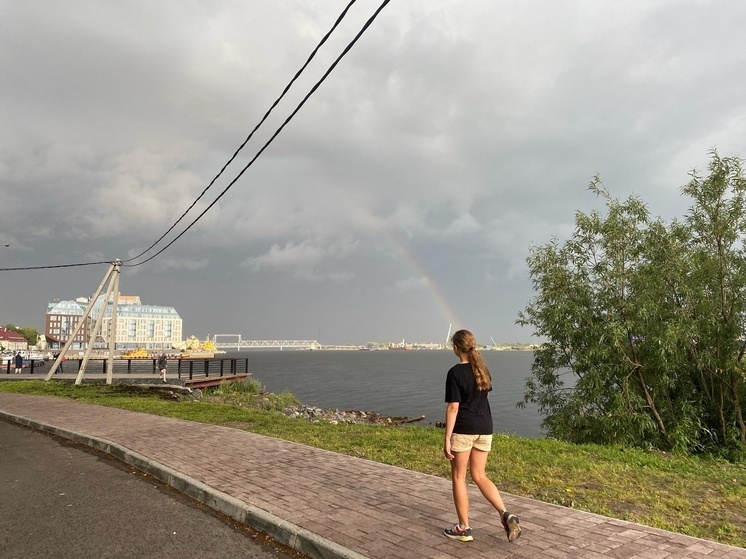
x,y
394,383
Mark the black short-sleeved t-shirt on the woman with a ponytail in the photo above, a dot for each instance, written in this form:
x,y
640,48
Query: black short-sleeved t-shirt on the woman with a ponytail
x,y
474,414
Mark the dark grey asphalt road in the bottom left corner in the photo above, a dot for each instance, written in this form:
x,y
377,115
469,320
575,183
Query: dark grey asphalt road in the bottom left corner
x,y
59,499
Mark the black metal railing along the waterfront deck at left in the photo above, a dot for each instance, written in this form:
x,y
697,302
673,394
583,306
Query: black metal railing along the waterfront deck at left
x,y
186,368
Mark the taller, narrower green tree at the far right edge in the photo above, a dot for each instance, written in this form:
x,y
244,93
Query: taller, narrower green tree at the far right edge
x,y
717,223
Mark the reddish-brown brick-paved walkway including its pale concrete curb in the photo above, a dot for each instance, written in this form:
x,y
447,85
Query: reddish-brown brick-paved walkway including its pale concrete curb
x,y
333,506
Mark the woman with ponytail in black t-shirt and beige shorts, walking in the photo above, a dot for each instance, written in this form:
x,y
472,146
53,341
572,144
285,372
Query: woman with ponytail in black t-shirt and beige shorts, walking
x,y
468,436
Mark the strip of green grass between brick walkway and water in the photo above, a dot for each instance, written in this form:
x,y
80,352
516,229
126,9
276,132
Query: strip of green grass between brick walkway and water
x,y
697,496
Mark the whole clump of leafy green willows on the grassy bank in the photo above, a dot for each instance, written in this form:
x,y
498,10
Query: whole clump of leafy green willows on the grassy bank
x,y
645,321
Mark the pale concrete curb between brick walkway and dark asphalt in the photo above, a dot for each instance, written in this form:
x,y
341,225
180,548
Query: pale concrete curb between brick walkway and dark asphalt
x,y
286,533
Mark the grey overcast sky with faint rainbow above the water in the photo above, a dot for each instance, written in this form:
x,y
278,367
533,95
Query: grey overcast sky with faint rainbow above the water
x,y
405,194
